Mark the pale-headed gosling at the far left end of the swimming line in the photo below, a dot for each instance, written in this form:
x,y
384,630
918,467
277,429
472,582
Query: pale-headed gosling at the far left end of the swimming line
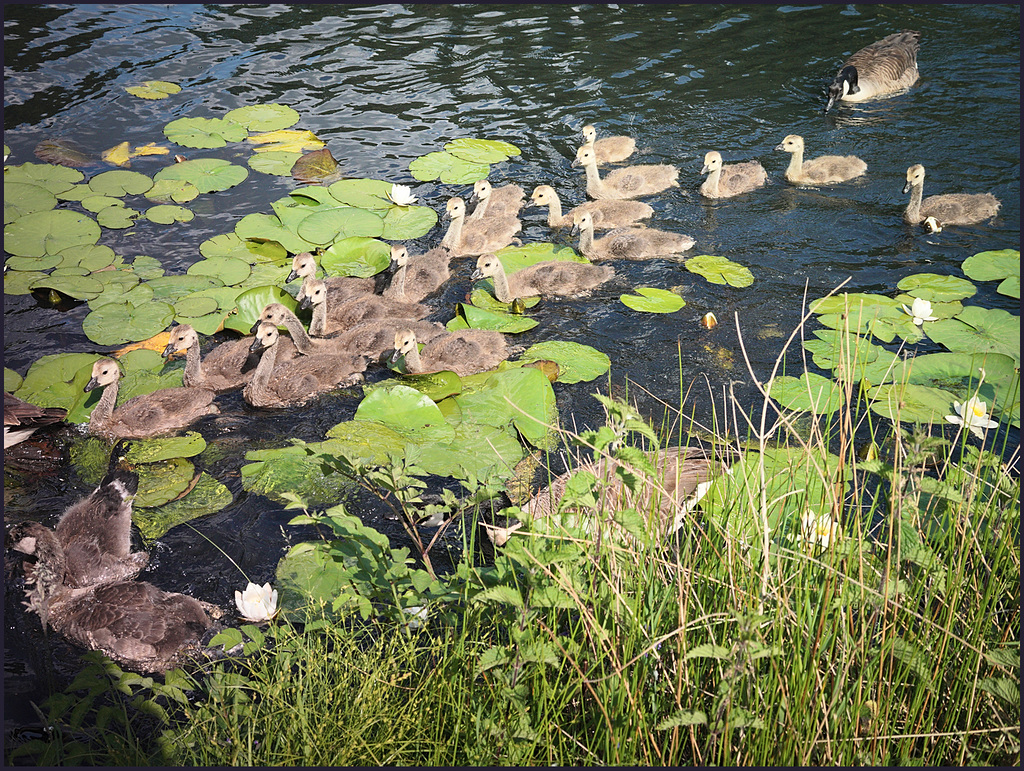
x,y
163,412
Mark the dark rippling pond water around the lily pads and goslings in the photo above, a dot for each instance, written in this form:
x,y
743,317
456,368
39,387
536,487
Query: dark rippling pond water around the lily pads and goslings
x,y
385,84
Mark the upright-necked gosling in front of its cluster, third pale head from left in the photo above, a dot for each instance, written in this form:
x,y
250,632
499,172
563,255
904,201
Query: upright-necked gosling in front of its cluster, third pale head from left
x,y
297,381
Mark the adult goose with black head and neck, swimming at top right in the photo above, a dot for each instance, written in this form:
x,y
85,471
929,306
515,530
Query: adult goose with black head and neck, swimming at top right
x,y
883,68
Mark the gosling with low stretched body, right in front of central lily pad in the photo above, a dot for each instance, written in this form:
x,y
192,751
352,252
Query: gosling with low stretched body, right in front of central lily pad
x,y
550,278
